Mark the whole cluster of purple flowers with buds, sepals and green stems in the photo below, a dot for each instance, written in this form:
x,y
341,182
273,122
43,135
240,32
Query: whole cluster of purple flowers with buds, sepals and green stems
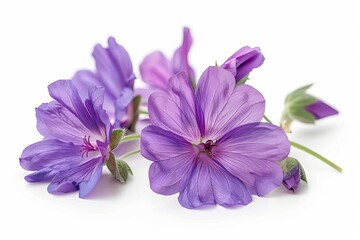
x,y
206,139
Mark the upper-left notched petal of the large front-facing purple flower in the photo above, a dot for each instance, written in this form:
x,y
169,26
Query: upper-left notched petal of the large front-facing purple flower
x,y
174,110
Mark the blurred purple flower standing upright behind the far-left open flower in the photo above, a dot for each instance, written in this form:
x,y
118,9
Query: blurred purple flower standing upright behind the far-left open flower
x,y
115,74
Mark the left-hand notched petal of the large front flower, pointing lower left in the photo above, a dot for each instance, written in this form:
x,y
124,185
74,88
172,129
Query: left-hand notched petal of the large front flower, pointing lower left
x,y
173,159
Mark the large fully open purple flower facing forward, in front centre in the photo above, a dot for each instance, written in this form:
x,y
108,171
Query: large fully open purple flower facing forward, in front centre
x,y
209,145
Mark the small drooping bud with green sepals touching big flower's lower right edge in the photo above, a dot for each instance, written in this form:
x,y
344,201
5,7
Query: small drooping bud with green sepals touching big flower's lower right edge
x,y
293,173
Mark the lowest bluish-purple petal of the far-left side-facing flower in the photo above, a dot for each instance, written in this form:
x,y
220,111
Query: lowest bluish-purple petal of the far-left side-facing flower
x,y
69,180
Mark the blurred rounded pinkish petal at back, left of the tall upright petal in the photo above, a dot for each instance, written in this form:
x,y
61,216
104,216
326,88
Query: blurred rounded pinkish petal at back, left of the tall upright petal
x,y
155,70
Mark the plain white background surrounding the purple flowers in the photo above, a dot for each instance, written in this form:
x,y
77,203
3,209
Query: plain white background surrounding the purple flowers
x,y
303,42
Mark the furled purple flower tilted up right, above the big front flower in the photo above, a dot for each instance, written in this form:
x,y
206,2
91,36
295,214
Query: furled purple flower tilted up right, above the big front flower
x,y
241,63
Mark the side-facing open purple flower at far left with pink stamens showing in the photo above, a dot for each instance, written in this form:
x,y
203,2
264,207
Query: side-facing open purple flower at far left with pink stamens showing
x,y
76,140
